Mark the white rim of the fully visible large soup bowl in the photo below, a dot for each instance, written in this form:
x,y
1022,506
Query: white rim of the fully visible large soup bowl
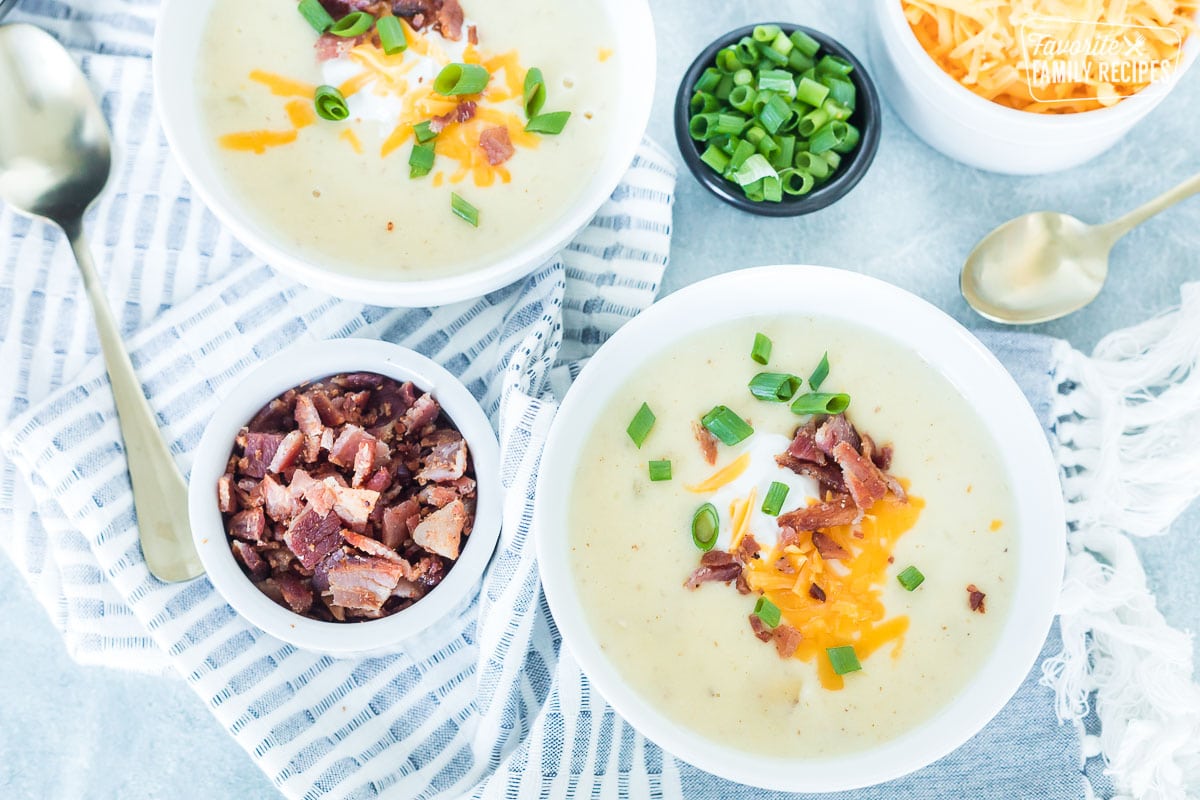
x,y
945,345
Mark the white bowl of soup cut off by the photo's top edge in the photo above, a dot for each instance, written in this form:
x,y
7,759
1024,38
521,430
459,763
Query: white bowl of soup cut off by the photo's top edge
x,y
407,153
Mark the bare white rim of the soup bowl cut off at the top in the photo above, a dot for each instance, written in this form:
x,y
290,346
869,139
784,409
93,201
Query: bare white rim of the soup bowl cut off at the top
x,y
175,89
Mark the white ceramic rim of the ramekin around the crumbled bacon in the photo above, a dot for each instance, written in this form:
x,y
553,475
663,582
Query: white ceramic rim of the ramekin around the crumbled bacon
x,y
291,369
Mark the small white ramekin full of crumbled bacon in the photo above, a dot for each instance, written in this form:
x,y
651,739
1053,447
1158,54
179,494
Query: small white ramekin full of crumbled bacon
x,y
346,496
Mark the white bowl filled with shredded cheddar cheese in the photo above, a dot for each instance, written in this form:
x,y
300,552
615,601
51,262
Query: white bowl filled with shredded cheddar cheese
x,y
1031,87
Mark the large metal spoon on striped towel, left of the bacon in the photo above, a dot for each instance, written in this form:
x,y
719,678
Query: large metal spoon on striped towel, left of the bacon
x,y
55,160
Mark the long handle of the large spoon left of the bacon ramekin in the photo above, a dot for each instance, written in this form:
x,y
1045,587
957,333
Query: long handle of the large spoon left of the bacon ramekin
x,y
160,495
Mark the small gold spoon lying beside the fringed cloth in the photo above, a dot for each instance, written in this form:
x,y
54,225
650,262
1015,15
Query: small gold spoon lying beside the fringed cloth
x,y
1046,266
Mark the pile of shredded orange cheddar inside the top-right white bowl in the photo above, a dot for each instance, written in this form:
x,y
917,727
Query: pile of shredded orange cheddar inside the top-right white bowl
x,y
1053,56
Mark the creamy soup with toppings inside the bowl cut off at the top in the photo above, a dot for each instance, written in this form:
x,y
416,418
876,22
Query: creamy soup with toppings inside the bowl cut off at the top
x,y
347,194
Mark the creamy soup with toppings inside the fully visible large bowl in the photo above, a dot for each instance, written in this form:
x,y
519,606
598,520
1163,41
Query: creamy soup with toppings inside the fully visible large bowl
x,y
841,655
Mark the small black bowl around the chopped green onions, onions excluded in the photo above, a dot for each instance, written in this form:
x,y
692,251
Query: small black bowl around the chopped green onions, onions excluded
x,y
867,118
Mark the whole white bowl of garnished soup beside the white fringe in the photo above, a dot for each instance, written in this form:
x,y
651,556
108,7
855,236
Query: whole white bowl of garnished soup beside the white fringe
x,y
801,528
